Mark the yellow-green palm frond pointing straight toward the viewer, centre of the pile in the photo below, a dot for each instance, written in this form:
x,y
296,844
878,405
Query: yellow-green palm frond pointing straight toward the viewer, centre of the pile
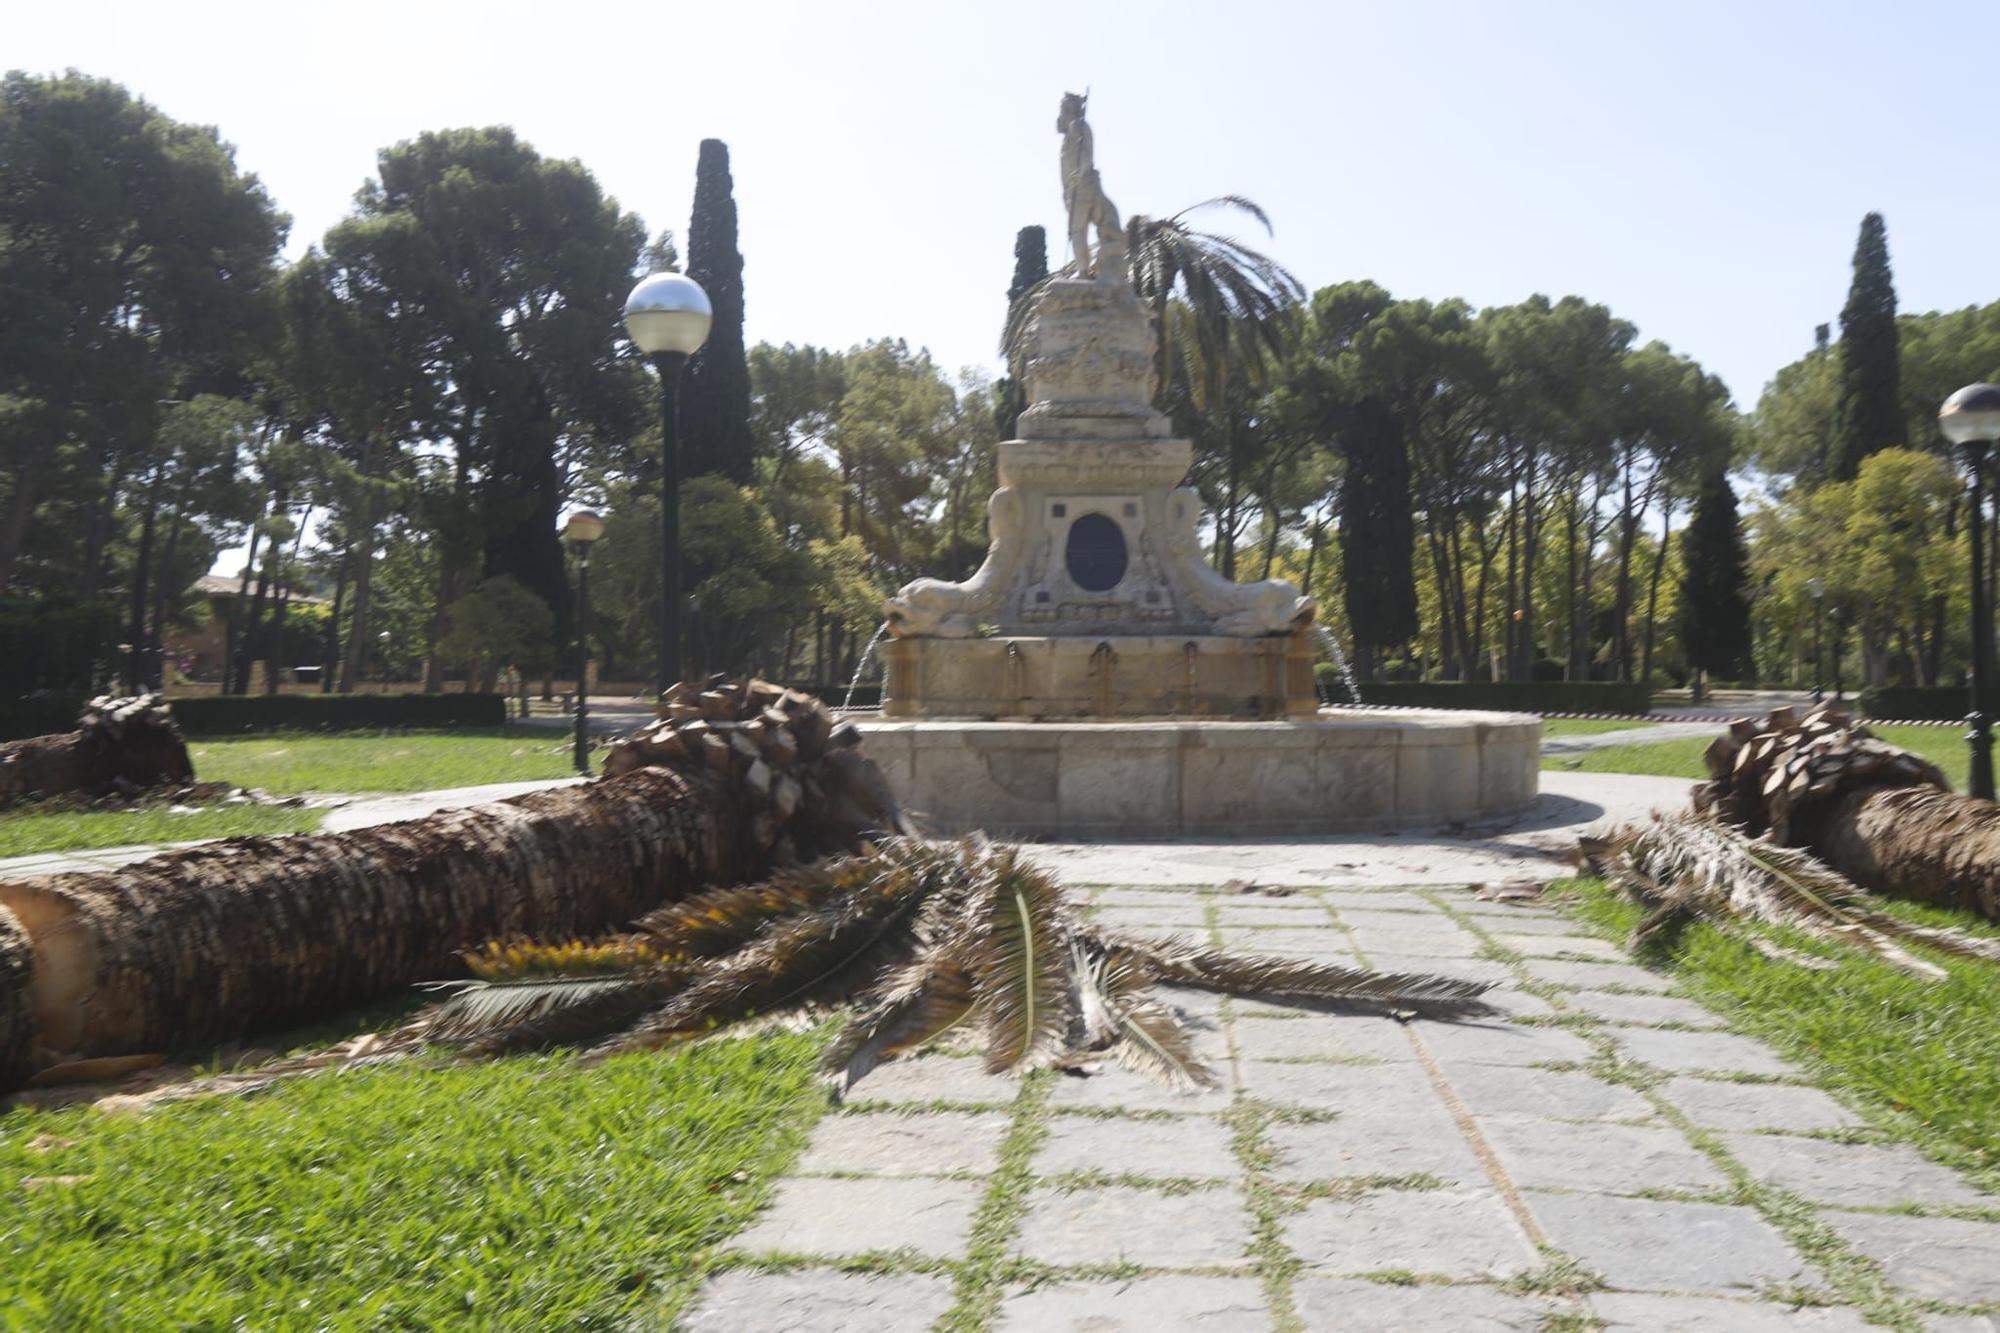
x,y
1019,952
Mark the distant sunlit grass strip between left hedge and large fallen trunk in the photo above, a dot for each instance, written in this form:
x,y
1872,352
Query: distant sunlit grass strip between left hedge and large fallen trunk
x,y
405,762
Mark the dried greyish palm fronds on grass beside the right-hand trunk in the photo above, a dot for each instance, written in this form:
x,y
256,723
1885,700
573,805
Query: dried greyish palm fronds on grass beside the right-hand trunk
x,y
1711,870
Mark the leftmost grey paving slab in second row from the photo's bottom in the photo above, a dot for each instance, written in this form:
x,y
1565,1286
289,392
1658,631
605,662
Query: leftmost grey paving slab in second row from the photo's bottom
x,y
815,1216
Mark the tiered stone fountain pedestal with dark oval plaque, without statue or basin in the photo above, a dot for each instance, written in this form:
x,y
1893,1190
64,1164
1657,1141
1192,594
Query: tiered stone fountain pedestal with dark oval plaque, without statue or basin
x,y
1097,597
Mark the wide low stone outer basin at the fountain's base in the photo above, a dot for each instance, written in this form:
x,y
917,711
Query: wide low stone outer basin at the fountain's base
x,y
1193,778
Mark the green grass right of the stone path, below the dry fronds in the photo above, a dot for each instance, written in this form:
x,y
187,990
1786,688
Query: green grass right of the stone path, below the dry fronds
x,y
1921,1060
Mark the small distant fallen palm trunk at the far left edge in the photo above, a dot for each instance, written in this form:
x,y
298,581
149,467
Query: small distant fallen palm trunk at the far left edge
x,y
119,746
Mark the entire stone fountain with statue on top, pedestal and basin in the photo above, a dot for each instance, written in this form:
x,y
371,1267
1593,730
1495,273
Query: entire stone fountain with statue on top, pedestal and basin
x,y
1097,676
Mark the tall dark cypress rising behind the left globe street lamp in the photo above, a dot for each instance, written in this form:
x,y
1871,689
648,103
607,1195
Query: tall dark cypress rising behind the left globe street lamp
x,y
715,407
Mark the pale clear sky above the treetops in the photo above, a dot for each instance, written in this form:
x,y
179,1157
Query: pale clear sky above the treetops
x,y
1697,167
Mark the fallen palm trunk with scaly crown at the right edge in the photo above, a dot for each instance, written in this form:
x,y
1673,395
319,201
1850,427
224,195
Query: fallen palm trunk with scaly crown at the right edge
x,y
1879,816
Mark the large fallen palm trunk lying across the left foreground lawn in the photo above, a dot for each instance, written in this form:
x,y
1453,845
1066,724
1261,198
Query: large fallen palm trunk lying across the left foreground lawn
x,y
251,934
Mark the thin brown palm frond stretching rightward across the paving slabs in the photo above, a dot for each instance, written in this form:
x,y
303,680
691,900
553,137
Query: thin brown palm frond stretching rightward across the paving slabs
x,y
1181,964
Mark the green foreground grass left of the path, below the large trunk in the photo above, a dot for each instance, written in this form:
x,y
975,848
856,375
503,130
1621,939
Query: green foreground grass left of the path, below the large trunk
x,y
523,1194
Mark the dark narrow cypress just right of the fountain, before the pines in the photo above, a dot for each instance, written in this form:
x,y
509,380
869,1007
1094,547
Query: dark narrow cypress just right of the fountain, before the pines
x,y
1377,531
